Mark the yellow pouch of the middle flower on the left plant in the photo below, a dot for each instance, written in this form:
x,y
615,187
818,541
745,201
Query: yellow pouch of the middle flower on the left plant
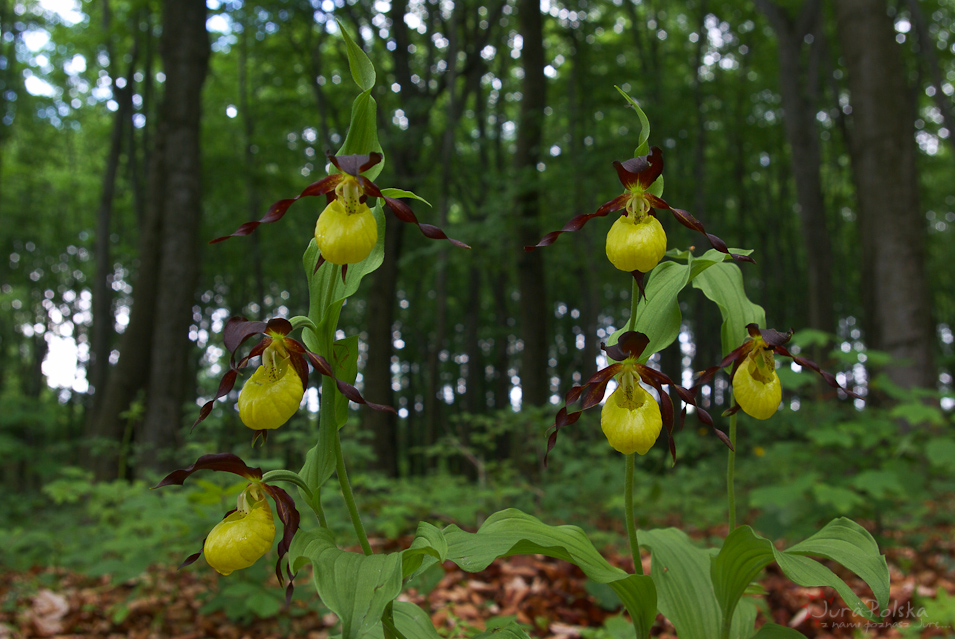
x,y
272,395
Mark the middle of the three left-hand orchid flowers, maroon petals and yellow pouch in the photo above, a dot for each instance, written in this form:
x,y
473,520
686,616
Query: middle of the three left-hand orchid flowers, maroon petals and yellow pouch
x,y
274,392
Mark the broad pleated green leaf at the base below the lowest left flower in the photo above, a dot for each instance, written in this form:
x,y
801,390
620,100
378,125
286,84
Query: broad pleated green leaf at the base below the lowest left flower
x,y
356,588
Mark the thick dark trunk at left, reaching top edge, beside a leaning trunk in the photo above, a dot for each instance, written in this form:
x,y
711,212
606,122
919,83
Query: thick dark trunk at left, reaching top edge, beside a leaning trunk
x,y
185,52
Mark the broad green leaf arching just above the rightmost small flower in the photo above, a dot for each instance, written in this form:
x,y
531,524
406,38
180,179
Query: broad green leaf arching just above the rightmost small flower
x,y
723,284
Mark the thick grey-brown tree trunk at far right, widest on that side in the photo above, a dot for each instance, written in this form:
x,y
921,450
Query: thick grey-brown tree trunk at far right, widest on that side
x,y
891,221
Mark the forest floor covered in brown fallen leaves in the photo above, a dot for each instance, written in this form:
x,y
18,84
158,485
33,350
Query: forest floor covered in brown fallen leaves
x,y
548,596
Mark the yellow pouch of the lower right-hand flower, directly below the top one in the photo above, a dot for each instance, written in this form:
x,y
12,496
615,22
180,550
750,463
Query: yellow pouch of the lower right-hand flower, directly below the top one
x,y
630,418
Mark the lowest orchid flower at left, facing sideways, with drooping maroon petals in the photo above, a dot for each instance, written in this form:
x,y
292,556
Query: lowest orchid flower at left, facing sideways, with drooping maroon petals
x,y
246,533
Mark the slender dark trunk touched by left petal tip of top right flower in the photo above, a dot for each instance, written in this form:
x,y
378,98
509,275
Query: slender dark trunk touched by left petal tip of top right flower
x,y
530,265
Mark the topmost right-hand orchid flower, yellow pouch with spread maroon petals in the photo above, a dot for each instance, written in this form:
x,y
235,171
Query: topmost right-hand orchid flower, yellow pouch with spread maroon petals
x,y
637,242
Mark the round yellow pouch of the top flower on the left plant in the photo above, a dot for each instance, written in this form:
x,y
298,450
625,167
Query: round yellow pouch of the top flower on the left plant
x,y
344,237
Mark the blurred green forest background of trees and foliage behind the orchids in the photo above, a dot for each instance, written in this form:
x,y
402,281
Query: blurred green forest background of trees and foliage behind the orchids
x,y
132,132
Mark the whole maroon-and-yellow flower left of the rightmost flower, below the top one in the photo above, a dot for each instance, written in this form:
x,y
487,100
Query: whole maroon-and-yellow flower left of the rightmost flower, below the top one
x,y
631,418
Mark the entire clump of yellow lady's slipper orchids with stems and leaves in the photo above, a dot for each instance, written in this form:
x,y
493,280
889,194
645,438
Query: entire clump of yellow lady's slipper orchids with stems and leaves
x,y
700,590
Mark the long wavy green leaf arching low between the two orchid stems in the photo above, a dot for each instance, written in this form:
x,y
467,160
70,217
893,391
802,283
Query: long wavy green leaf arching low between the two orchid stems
x,y
512,532
